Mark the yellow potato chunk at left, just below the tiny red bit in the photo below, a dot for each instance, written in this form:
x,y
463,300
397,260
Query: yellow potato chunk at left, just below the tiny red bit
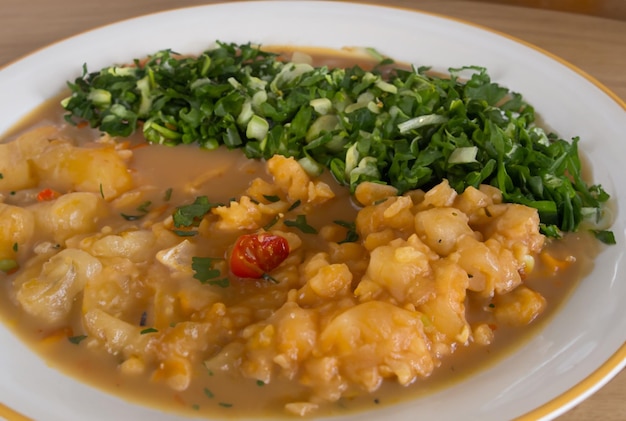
x,y
69,215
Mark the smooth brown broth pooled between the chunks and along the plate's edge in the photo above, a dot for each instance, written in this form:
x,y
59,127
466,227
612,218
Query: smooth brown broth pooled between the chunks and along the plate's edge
x,y
221,175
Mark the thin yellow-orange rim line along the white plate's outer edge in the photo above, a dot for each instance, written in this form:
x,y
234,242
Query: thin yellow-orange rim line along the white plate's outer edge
x,y
602,373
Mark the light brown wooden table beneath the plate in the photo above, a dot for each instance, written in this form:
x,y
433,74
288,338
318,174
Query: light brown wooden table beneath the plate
x,y
595,45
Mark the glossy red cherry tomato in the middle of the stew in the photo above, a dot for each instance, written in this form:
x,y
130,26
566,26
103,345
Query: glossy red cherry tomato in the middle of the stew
x,y
254,255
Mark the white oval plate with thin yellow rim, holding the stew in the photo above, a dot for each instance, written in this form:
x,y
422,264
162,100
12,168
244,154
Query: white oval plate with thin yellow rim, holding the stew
x,y
576,353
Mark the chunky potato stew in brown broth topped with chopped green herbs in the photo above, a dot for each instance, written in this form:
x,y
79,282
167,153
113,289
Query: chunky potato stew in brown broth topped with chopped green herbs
x,y
377,237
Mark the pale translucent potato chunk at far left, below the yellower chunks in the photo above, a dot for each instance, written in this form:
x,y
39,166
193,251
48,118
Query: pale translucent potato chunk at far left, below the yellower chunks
x,y
47,292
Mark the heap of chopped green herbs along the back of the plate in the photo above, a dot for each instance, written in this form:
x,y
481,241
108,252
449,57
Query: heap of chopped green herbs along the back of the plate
x,y
405,127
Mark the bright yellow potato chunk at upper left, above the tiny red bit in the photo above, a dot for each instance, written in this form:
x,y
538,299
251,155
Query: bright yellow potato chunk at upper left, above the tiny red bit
x,y
98,170
